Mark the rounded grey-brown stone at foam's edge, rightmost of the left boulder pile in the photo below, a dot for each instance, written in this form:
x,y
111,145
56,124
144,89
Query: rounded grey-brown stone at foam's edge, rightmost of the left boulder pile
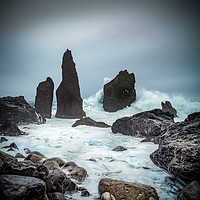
x,y
74,171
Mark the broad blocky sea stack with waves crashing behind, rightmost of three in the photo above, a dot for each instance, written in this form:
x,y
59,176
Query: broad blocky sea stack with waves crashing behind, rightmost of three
x,y
120,92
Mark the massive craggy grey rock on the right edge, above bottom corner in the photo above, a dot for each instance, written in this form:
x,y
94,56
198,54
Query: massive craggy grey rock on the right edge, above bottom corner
x,y
179,149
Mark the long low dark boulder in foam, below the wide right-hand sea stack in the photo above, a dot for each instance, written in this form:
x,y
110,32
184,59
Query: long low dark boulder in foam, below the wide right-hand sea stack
x,y
145,124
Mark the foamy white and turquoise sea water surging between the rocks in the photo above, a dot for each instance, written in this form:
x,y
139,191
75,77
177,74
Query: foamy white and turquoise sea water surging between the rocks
x,y
91,147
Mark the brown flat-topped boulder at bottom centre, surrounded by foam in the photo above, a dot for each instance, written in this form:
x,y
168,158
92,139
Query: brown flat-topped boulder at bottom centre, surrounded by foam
x,y
125,190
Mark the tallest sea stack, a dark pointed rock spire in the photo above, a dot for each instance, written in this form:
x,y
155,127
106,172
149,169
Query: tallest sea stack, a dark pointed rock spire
x,y
69,101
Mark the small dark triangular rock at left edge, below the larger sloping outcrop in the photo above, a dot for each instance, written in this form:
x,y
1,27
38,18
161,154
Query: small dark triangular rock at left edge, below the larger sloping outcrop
x,y
9,128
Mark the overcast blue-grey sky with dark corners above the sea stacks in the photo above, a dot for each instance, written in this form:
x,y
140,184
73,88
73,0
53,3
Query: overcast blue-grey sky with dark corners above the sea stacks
x,y
158,41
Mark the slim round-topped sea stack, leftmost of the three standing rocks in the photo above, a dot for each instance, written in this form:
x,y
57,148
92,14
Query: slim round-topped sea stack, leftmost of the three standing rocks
x,y
44,98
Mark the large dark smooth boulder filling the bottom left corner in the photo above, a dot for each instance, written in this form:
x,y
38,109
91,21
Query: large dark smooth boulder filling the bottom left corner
x,y
22,187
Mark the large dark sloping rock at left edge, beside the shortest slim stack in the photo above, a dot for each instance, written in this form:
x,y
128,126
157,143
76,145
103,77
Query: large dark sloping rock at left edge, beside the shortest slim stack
x,y
18,110
